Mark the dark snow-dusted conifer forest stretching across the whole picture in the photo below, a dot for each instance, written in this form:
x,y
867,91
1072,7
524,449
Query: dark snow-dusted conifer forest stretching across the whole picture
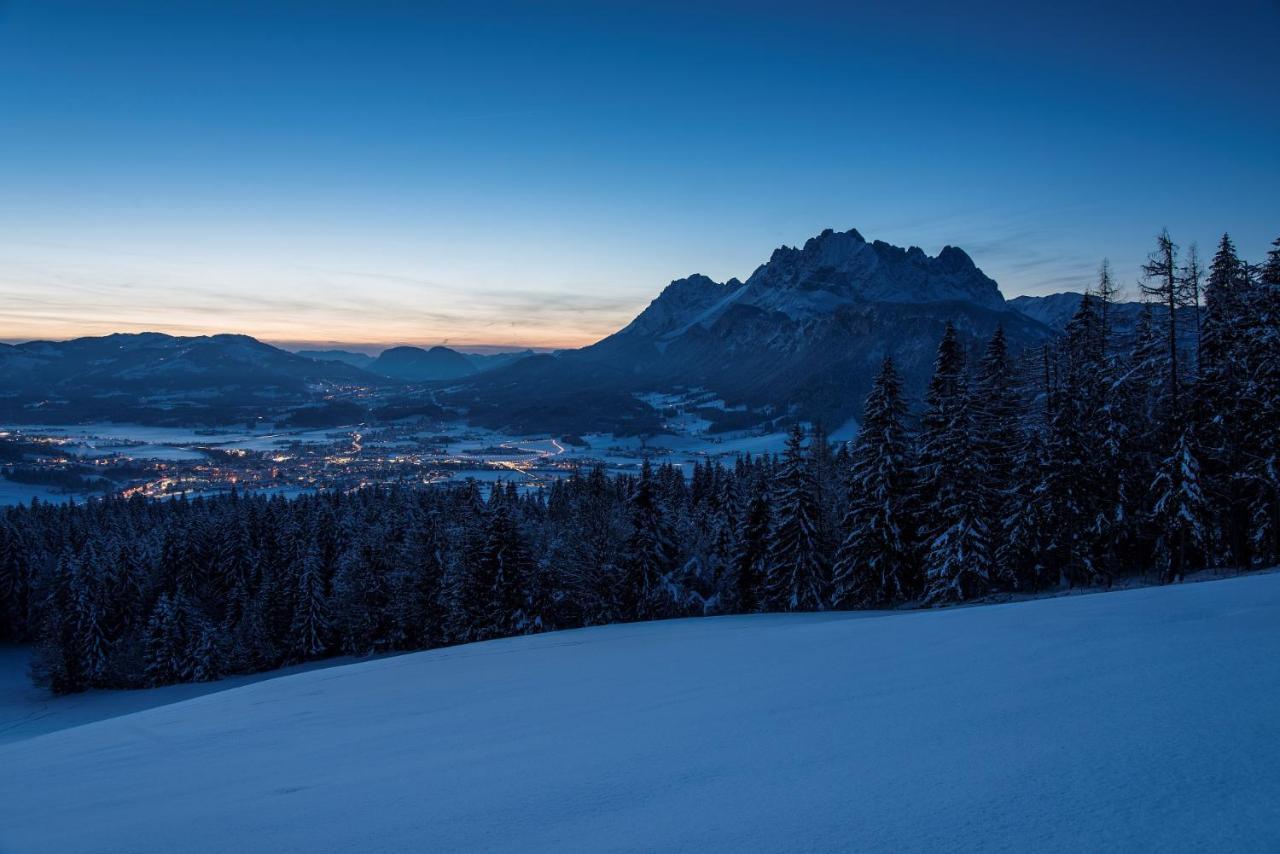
x,y
1072,464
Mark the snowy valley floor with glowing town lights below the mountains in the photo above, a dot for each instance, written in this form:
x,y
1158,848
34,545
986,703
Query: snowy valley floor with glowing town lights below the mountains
x,y
62,463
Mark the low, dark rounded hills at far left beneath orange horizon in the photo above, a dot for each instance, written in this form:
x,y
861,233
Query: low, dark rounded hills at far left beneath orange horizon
x,y
158,378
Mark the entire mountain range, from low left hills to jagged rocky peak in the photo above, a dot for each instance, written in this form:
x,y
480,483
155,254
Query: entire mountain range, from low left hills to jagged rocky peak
x,y
802,337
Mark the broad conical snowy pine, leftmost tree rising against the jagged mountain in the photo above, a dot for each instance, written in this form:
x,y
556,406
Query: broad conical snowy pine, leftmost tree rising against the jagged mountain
x,y
877,561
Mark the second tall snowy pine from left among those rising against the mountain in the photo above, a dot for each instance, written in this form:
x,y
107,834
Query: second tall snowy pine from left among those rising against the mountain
x,y
958,564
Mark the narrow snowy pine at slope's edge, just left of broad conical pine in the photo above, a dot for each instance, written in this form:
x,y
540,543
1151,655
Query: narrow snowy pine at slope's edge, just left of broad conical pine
x,y
797,570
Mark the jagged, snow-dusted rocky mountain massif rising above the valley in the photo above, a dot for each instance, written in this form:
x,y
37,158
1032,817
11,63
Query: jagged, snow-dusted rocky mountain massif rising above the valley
x,y
803,336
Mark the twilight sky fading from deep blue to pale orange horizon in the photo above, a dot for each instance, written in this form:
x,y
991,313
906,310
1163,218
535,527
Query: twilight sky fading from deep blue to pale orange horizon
x,y
501,173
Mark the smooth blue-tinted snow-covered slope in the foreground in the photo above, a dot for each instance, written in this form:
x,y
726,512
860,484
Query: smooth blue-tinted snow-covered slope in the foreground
x,y
1142,720
